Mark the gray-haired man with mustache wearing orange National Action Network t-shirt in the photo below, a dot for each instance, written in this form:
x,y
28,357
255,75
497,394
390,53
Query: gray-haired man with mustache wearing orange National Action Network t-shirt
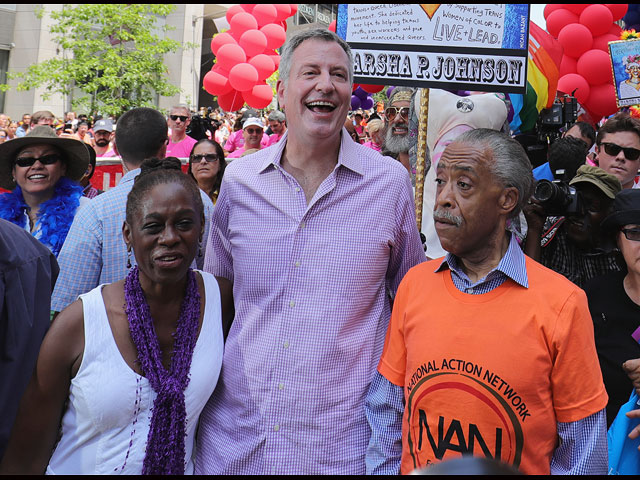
x,y
487,353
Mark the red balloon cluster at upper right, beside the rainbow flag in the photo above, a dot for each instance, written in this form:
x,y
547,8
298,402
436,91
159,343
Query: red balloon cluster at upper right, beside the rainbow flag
x,y
584,31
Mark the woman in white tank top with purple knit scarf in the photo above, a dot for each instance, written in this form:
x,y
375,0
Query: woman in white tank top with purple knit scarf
x,y
124,372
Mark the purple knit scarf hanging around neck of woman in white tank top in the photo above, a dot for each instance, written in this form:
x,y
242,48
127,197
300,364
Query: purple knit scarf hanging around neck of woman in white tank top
x,y
165,444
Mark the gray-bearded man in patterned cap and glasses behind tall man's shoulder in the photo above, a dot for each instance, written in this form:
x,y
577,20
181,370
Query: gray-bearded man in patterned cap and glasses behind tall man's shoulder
x,y
397,141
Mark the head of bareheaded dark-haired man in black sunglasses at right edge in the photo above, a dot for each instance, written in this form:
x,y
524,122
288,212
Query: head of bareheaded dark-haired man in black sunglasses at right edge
x,y
618,148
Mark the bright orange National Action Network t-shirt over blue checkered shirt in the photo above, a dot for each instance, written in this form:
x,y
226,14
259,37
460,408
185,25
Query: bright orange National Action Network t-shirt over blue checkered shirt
x,y
491,374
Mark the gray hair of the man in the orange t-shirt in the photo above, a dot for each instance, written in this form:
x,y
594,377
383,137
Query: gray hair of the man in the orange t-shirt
x,y
510,166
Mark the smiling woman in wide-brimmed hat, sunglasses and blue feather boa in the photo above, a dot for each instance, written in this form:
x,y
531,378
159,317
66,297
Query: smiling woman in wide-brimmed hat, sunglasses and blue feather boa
x,y
41,171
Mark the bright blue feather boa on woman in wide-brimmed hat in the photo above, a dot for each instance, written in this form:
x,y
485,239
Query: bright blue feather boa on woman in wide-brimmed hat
x,y
54,216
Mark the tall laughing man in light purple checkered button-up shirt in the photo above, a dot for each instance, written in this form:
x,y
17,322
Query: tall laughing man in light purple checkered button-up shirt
x,y
315,233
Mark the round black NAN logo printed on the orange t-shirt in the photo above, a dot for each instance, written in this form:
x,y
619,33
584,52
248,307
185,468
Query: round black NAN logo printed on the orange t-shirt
x,y
455,407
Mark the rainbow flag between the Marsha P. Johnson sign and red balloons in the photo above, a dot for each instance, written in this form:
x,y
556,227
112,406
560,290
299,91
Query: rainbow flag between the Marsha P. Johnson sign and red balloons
x,y
543,67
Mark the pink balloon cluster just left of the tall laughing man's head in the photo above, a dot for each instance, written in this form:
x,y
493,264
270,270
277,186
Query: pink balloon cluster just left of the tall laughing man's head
x,y
246,56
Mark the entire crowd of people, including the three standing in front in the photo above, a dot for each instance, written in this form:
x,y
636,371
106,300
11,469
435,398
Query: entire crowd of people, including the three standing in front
x,y
270,306
